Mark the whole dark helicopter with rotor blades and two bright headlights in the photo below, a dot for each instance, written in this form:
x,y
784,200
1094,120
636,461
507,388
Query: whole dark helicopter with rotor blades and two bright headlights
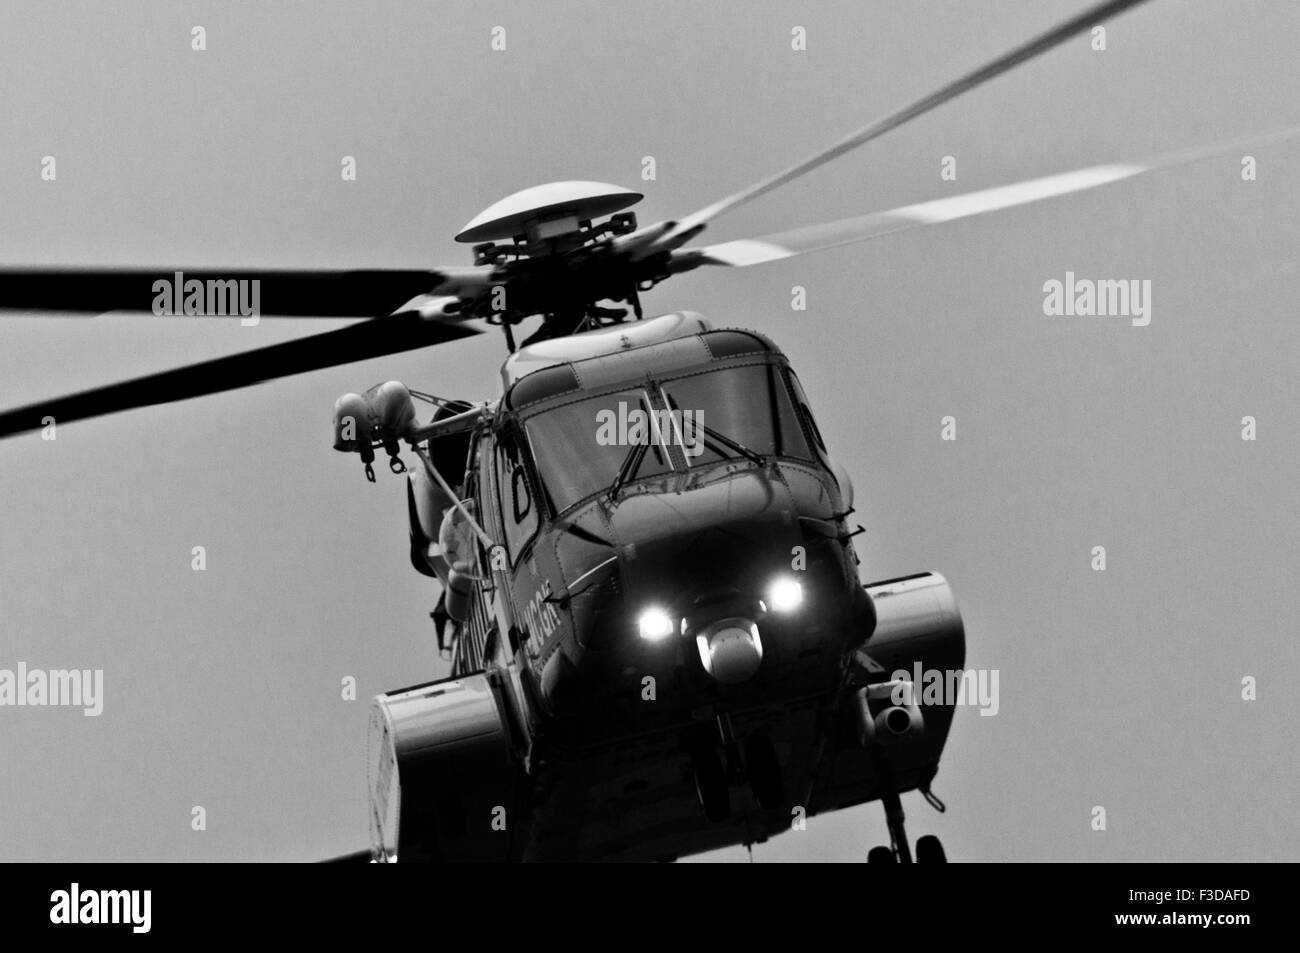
x,y
545,539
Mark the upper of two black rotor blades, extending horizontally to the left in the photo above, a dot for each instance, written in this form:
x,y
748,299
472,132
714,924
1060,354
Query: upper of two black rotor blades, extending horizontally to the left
x,y
292,294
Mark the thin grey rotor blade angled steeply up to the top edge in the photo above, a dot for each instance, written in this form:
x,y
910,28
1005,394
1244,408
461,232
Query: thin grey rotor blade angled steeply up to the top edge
x,y
688,228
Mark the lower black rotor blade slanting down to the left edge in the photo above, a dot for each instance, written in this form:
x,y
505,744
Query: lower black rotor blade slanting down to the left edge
x,y
361,341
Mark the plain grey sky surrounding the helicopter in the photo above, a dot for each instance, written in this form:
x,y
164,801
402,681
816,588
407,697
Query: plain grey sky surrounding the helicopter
x,y
223,687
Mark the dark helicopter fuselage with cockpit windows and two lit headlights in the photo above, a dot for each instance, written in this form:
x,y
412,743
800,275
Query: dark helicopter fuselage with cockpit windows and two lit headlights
x,y
666,623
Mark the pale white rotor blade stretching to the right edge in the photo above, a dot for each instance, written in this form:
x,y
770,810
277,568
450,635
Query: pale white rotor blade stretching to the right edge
x,y
783,245
